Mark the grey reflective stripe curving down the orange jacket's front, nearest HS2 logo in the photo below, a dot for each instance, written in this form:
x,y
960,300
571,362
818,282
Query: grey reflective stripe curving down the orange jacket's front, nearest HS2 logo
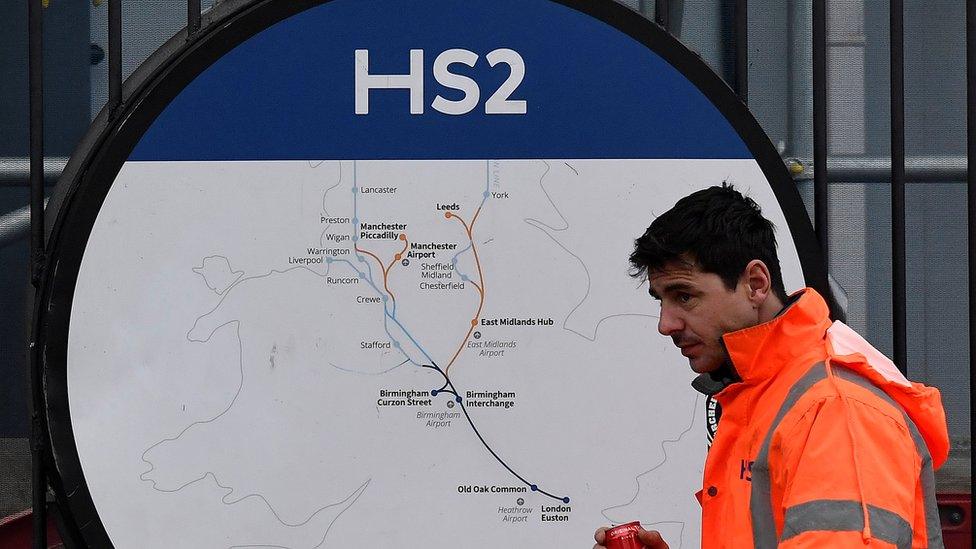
x,y
760,502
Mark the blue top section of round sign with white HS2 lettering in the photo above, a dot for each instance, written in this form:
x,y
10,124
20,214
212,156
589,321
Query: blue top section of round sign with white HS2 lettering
x,y
440,80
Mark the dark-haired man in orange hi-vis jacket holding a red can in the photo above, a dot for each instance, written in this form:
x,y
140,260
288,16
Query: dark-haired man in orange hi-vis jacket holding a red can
x,y
822,441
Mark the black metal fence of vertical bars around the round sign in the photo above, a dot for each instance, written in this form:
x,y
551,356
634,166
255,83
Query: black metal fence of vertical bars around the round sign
x,y
662,15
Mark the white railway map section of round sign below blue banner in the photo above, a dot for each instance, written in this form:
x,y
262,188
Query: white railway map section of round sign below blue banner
x,y
368,352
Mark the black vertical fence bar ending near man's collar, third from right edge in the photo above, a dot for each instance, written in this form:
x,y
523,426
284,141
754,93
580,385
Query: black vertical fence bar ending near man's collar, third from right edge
x,y
820,204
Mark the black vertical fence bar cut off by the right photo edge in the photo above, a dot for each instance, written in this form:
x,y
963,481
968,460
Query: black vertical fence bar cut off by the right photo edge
x,y
971,181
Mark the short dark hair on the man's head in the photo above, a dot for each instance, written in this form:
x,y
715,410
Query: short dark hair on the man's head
x,y
718,228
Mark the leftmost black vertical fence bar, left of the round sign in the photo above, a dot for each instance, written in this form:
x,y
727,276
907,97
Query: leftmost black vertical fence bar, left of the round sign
x,y
35,58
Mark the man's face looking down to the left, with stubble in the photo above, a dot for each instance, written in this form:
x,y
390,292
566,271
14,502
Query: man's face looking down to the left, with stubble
x,y
697,309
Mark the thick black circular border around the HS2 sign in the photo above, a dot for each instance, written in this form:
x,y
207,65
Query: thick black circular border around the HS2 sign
x,y
99,157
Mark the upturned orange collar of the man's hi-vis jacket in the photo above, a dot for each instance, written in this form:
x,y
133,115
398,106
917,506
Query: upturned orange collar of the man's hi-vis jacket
x,y
759,352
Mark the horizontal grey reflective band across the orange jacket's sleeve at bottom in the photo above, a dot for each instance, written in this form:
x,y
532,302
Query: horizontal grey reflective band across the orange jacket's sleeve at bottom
x,y
833,515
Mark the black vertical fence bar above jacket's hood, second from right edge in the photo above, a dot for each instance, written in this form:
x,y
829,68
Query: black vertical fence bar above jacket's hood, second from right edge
x,y
898,293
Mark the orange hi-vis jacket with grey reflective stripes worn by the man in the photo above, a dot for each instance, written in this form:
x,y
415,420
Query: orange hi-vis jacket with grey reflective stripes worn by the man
x,y
823,443
